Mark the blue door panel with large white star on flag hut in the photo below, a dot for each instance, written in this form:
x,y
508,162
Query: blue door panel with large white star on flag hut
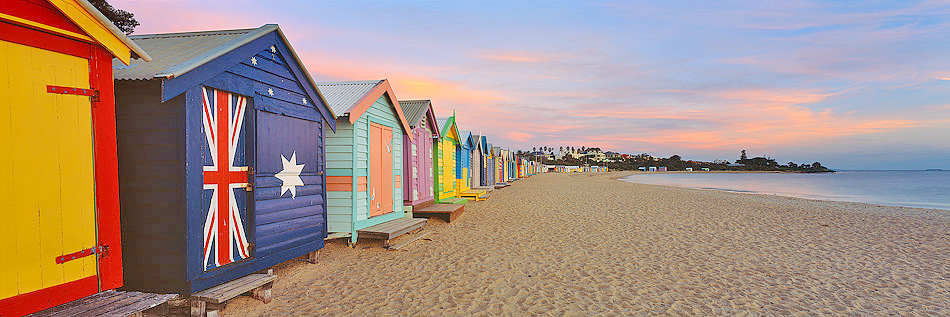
x,y
289,203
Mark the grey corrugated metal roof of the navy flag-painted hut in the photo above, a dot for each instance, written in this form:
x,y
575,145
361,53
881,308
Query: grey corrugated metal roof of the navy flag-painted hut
x,y
176,53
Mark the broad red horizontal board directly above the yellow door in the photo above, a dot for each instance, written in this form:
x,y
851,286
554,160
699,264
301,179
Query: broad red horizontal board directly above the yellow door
x,y
30,37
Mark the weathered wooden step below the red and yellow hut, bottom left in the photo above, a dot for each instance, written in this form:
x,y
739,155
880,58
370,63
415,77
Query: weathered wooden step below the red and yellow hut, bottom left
x,y
109,303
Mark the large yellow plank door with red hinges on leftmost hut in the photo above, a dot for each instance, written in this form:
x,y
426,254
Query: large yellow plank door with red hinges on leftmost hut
x,y
46,170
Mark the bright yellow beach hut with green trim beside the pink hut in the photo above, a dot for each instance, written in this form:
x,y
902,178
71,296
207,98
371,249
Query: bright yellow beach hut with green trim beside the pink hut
x,y
446,184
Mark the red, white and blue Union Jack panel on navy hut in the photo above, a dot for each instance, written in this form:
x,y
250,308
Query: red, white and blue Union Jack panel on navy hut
x,y
225,175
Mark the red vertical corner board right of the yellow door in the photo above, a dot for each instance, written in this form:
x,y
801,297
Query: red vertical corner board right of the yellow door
x,y
107,168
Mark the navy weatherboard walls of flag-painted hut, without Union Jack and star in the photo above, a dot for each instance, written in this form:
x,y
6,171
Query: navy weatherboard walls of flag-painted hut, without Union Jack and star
x,y
282,121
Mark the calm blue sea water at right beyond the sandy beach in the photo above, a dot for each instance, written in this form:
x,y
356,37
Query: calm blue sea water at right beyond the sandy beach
x,y
922,189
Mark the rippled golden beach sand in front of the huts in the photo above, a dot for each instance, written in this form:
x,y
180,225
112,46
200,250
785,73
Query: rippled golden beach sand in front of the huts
x,y
587,244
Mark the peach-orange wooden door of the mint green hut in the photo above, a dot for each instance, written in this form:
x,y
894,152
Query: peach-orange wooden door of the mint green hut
x,y
380,170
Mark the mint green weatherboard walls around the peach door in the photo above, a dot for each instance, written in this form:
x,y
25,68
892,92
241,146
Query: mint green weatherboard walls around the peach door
x,y
348,153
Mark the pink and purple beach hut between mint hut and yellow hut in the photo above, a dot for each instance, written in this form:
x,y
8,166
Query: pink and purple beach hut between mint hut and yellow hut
x,y
418,187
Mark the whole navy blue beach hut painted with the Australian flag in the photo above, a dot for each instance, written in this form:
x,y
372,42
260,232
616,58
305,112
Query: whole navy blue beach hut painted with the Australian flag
x,y
221,155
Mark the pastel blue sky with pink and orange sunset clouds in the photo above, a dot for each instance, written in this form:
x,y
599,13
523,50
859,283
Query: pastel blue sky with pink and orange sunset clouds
x,y
852,84
